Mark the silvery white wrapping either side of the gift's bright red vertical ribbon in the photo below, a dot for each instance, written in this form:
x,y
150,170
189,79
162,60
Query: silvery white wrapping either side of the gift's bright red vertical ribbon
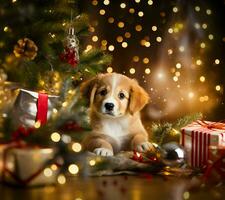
x,y
25,108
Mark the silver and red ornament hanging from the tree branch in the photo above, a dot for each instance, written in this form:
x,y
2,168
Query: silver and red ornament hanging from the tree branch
x,y
71,48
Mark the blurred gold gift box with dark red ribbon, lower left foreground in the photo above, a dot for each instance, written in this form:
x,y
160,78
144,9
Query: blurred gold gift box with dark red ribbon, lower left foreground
x,y
27,166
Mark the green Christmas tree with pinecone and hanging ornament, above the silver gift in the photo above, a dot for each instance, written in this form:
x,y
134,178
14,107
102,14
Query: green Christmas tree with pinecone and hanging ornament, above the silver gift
x,y
44,51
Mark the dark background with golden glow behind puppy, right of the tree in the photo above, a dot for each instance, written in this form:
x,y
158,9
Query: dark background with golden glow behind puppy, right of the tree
x,y
169,99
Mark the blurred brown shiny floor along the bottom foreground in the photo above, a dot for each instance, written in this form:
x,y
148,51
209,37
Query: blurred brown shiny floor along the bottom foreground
x,y
115,188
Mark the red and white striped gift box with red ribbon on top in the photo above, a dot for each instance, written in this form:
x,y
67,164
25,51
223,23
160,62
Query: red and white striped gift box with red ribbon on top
x,y
198,137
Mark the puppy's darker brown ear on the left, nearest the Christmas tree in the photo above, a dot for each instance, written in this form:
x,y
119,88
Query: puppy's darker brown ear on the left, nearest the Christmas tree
x,y
88,89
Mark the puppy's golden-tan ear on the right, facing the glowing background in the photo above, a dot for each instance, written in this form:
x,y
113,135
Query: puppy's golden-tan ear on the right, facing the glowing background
x,y
138,97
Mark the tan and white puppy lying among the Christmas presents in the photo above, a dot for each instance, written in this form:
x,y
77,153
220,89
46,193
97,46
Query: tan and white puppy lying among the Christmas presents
x,y
115,103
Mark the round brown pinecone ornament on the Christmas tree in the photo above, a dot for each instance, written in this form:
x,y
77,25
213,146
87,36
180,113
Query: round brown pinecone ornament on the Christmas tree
x,y
25,48
